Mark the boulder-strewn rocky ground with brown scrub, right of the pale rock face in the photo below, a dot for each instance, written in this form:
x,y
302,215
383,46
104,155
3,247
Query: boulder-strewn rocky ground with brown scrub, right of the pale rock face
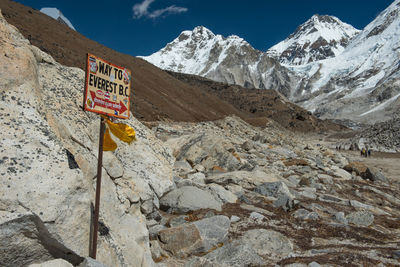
x,y
251,197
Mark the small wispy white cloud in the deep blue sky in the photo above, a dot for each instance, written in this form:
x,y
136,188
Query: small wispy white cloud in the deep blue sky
x,y
142,10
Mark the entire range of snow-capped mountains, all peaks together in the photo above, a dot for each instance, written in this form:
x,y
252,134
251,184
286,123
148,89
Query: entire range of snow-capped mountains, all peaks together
x,y
329,67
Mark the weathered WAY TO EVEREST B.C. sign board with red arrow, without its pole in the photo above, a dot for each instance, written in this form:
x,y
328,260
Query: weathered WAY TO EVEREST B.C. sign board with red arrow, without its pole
x,y
107,88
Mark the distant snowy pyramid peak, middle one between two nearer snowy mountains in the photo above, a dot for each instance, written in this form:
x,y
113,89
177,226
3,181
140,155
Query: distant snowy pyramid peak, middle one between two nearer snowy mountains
x,y
320,37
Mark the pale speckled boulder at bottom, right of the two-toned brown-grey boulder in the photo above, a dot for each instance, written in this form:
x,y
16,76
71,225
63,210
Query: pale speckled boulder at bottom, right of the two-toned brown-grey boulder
x,y
267,242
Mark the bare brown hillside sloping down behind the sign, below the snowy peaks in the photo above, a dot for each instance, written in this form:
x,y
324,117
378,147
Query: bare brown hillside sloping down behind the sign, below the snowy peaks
x,y
157,94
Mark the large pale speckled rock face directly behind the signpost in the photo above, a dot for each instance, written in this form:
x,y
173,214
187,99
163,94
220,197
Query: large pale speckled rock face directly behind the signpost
x,y
48,160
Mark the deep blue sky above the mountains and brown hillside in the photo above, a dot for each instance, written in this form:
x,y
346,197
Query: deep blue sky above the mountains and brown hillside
x,y
141,27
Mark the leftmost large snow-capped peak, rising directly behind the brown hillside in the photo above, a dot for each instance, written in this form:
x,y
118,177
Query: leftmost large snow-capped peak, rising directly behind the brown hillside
x,y
231,60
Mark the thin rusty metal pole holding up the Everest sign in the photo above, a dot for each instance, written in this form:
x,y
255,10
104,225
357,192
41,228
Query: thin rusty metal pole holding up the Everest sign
x,y
98,189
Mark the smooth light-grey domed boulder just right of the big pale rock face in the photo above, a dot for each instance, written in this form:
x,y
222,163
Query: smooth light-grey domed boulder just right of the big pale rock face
x,y
188,198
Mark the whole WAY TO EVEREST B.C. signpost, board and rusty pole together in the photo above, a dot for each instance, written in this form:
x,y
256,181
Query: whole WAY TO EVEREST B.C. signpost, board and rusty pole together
x,y
107,92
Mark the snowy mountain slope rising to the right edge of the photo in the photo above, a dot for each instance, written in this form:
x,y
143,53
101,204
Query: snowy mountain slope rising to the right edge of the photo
x,y
363,82
